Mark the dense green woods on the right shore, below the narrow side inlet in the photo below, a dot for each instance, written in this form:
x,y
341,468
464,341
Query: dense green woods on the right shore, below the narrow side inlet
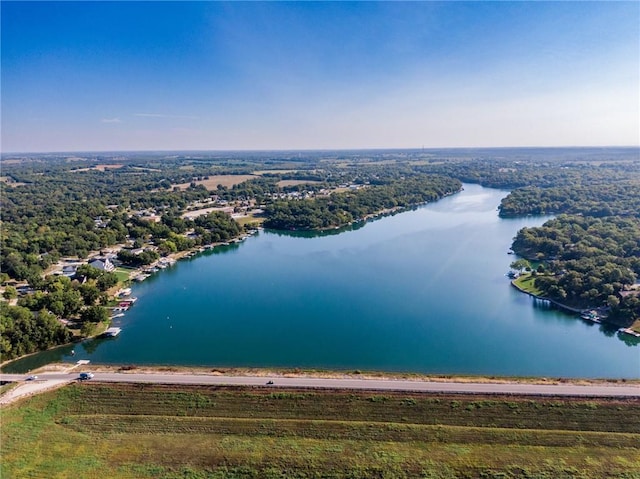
x,y
588,261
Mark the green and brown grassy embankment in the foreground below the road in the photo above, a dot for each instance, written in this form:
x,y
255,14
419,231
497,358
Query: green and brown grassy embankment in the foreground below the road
x,y
84,430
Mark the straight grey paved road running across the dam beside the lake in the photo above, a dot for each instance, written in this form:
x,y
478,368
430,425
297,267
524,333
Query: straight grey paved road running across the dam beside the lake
x,y
595,390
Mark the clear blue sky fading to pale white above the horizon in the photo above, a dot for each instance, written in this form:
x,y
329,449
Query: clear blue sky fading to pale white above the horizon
x,y
109,76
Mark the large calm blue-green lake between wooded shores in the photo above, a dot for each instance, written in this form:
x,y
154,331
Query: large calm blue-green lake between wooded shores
x,y
420,291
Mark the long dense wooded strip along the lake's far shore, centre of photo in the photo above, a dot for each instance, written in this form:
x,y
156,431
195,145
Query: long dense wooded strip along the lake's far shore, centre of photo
x,y
340,209
